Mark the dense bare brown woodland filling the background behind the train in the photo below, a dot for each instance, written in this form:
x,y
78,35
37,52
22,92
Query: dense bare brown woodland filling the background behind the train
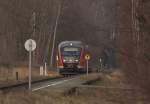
x,y
117,28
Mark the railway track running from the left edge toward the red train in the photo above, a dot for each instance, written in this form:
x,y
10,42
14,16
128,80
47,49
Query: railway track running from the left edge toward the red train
x,y
37,85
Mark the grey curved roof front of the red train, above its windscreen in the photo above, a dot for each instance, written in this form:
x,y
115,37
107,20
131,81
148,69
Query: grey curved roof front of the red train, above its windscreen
x,y
71,43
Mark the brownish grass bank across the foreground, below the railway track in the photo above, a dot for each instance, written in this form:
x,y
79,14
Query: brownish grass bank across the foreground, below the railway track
x,y
78,95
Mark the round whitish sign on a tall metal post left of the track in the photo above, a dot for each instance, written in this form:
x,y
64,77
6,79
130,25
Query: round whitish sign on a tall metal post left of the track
x,y
30,45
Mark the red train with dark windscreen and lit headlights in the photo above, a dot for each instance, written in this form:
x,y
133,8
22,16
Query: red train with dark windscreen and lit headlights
x,y
71,57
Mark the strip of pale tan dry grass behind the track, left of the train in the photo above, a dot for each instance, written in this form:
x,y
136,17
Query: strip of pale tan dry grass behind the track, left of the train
x,y
8,76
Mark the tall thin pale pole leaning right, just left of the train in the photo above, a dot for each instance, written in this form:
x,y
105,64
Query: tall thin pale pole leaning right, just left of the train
x,y
55,32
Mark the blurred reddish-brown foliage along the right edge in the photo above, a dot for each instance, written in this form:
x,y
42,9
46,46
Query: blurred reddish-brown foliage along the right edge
x,y
135,45
